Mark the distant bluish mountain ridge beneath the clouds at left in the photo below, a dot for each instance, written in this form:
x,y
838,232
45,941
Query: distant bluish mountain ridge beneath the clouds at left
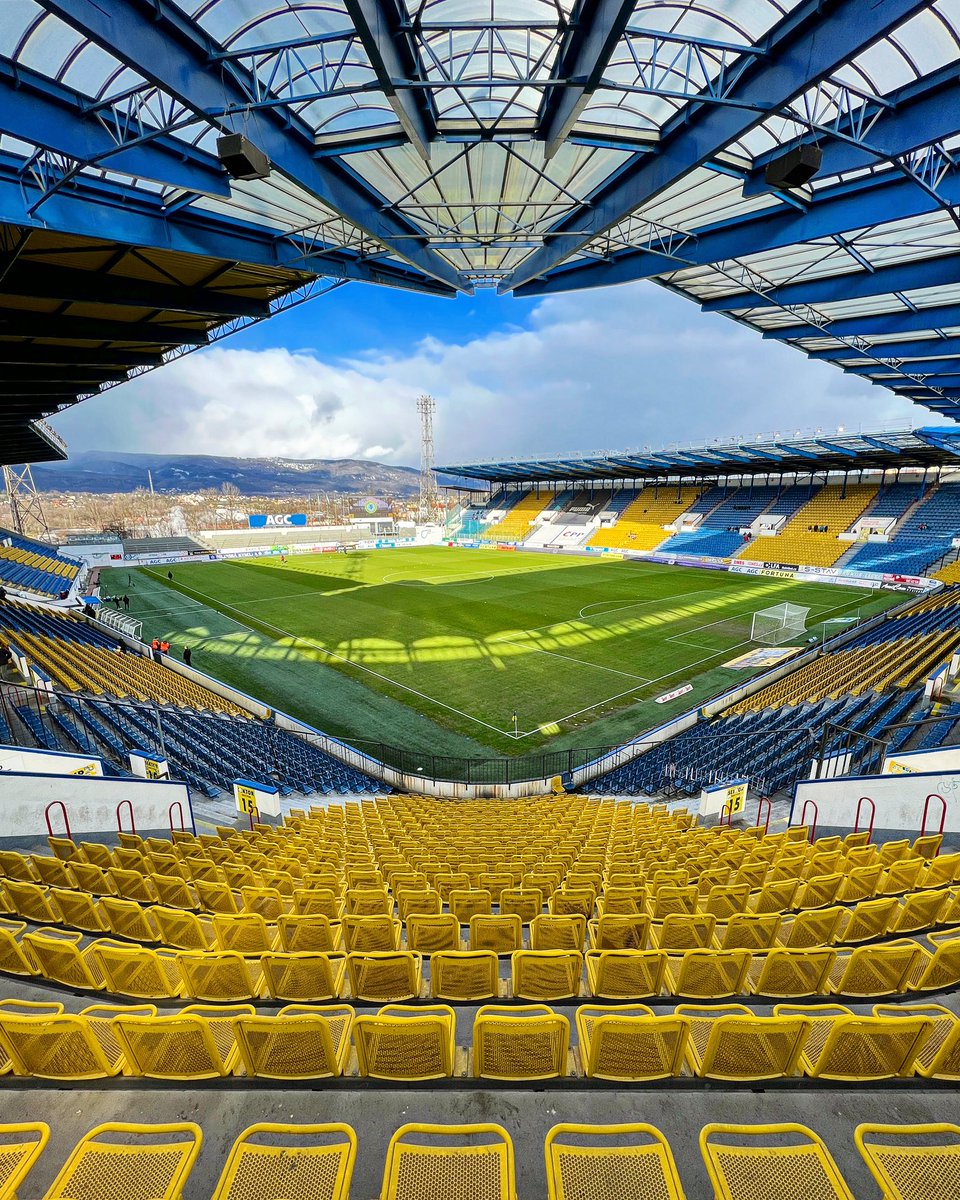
x,y
100,471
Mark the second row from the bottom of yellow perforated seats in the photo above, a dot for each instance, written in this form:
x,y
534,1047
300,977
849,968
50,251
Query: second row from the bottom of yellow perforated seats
x,y
509,1043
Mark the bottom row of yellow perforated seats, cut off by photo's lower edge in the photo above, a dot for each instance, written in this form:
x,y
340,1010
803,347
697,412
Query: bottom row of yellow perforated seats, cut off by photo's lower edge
x,y
477,1162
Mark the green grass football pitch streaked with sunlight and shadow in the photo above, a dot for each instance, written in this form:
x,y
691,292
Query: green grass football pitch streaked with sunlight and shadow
x,y
437,649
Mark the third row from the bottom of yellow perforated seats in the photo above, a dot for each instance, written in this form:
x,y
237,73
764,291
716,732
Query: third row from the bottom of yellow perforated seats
x,y
122,969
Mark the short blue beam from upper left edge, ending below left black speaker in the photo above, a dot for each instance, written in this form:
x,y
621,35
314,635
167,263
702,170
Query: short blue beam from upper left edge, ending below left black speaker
x,y
49,115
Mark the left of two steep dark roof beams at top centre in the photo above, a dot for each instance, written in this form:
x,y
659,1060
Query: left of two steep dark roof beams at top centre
x,y
394,58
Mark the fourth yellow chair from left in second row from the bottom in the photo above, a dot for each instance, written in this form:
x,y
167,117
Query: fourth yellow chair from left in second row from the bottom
x,y
403,1042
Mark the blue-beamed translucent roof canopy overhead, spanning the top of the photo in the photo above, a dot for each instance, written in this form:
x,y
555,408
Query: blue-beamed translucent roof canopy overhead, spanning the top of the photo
x,y
536,146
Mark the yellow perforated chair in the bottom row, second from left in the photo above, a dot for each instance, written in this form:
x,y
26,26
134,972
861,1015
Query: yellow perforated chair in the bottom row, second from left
x,y
130,1162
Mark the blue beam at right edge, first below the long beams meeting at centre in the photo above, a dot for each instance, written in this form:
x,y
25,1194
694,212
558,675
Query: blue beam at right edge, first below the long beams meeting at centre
x,y
929,273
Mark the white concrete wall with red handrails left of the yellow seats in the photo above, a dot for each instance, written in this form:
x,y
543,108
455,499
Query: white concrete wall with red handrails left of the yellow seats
x,y
91,807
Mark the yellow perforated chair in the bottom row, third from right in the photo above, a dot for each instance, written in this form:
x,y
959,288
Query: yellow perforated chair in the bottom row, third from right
x,y
627,1162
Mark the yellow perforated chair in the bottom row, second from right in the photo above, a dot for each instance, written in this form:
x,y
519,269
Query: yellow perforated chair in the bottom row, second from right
x,y
754,1163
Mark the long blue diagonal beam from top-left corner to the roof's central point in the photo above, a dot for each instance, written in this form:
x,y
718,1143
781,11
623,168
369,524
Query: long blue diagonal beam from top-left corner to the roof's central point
x,y
163,45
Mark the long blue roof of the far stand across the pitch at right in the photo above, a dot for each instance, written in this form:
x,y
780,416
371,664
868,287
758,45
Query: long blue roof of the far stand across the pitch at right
x,y
817,453
